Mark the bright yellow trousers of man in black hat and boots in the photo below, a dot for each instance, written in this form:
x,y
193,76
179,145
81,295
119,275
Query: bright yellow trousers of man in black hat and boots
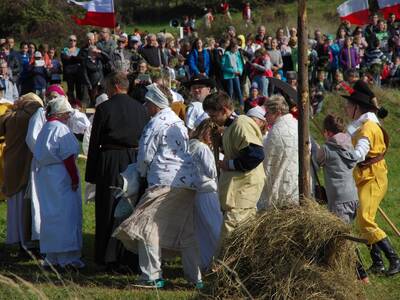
x,y
370,193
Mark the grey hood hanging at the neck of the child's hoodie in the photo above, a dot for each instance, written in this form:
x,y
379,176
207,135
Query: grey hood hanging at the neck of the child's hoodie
x,y
341,143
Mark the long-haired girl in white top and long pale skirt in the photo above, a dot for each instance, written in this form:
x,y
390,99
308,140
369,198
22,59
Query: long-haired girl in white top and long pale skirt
x,y
208,215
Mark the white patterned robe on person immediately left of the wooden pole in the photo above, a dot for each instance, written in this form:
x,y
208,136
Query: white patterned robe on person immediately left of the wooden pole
x,y
281,163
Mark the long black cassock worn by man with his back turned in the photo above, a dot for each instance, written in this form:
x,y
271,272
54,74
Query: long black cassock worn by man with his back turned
x,y
117,126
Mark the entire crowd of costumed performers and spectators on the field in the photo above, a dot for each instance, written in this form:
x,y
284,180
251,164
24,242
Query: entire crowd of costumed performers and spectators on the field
x,y
213,139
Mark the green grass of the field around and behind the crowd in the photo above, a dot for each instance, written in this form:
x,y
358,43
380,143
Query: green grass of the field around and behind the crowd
x,y
23,279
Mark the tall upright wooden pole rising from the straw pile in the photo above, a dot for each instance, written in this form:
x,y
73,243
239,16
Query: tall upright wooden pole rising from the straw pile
x,y
303,103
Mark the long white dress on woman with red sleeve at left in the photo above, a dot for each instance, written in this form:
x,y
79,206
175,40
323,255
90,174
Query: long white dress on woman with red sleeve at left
x,y
60,206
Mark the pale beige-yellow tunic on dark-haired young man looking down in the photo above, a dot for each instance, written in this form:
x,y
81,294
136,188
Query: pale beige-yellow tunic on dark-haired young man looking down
x,y
240,191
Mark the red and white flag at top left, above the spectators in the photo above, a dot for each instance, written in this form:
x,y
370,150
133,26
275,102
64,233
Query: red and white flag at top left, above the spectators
x,y
99,13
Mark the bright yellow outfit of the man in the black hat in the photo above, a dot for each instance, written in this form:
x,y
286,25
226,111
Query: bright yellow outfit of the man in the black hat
x,y
371,182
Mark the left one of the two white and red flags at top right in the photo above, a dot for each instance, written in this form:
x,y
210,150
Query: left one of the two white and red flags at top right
x,y
354,11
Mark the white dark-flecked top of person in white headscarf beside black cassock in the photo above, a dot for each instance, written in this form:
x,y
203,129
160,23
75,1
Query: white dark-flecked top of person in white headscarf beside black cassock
x,y
163,155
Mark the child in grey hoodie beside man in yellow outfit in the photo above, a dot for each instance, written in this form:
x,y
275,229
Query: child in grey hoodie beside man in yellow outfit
x,y
338,159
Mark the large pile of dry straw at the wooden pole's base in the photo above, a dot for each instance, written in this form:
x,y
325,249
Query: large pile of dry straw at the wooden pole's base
x,y
291,253
